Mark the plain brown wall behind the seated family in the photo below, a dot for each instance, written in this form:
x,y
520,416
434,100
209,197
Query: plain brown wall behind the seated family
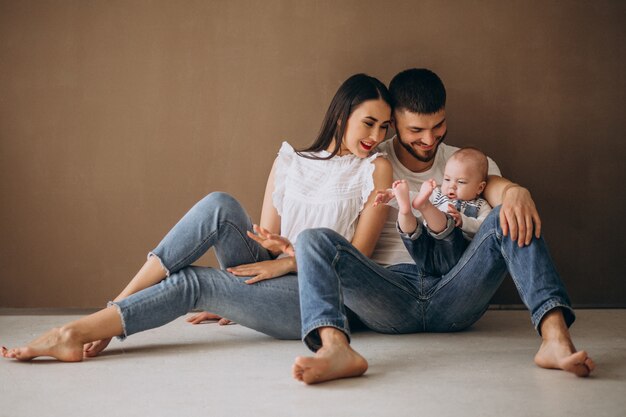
x,y
116,116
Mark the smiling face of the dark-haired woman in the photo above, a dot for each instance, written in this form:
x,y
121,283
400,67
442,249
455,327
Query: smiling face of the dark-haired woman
x,y
366,128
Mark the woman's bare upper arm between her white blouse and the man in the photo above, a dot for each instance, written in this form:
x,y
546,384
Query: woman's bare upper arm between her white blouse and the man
x,y
372,219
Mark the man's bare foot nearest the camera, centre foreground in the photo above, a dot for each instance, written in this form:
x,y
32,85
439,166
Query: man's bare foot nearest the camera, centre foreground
x,y
331,361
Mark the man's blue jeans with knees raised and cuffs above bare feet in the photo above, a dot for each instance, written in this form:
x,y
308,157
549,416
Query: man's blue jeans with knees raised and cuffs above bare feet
x,y
333,276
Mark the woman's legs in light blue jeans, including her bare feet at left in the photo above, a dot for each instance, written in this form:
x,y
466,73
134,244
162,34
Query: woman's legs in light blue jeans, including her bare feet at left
x,y
216,221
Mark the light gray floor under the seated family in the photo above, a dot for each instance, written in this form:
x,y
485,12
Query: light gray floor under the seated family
x,y
206,370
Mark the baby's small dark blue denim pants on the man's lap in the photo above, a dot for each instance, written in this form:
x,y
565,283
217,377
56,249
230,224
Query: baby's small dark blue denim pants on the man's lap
x,y
435,254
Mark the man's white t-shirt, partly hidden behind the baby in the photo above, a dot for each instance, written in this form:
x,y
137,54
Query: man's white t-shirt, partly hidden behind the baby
x,y
390,250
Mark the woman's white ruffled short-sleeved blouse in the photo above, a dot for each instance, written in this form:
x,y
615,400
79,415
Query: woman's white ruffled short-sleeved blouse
x,y
321,193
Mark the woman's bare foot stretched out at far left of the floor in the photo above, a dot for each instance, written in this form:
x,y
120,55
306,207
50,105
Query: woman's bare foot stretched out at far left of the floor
x,y
62,344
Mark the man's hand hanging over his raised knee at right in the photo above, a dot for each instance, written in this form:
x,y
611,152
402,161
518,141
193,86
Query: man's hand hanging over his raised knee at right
x,y
518,215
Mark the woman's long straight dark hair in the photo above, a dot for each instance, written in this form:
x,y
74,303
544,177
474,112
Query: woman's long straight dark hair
x,y
354,91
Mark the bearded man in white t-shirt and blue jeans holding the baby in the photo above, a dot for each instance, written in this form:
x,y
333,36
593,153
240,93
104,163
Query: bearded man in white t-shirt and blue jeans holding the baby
x,y
334,278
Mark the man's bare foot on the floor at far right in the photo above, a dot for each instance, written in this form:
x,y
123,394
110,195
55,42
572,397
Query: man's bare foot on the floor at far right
x,y
555,354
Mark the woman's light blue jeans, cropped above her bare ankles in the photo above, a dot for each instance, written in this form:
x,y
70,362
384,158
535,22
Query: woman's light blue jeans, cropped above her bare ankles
x,y
217,221
